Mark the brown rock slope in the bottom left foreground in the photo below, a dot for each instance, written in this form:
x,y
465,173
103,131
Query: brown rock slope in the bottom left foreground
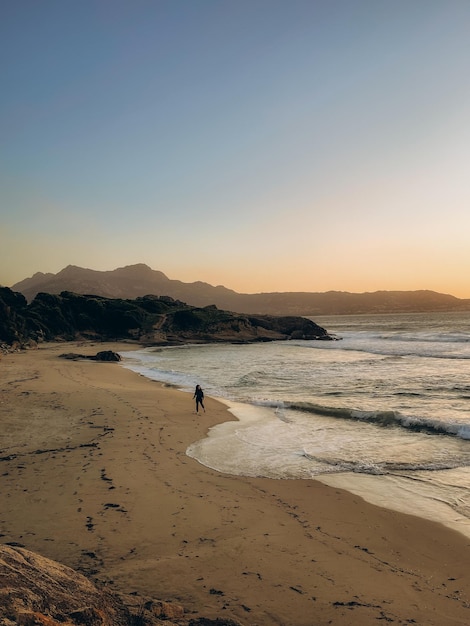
x,y
36,591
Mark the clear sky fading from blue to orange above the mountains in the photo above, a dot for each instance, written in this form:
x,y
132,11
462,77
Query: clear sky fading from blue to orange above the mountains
x,y
263,145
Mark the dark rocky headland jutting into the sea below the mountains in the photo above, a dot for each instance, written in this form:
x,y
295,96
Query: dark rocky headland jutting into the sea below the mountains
x,y
152,320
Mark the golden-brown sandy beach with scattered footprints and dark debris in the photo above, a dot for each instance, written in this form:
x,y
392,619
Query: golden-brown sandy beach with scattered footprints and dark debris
x,y
94,475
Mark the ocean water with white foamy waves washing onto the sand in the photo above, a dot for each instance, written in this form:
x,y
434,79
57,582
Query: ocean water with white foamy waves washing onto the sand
x,y
383,412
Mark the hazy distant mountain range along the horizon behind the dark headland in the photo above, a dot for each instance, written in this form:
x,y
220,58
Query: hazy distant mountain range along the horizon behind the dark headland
x,y
139,280
